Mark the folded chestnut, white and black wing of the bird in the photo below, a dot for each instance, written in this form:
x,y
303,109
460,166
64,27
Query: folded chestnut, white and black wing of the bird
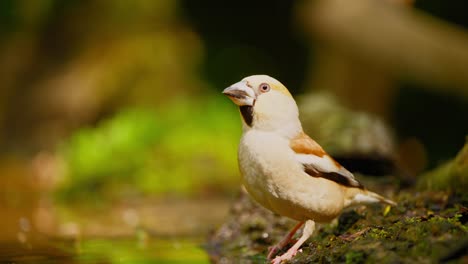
x,y
318,163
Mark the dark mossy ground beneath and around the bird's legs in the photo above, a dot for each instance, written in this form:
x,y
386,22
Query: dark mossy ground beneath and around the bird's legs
x,y
426,227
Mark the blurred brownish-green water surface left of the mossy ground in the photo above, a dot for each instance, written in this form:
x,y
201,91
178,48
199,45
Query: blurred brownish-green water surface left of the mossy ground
x,y
36,229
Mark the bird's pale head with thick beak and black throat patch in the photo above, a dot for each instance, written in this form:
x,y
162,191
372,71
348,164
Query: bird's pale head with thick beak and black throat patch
x,y
265,104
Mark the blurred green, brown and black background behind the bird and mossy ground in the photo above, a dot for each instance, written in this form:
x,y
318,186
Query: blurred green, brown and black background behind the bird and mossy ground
x,y
114,133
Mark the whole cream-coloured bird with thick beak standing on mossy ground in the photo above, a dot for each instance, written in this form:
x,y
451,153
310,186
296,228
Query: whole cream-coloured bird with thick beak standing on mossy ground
x,y
285,170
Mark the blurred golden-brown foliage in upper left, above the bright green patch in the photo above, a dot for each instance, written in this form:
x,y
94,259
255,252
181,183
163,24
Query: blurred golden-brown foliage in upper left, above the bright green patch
x,y
78,70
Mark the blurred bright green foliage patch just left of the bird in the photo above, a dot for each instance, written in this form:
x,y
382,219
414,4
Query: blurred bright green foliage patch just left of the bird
x,y
186,147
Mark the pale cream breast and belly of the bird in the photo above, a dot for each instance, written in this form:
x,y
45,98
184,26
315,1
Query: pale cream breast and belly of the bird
x,y
274,178
